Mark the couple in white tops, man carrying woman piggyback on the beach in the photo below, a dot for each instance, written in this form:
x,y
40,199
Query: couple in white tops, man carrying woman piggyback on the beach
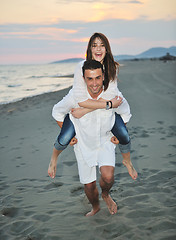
x,y
97,118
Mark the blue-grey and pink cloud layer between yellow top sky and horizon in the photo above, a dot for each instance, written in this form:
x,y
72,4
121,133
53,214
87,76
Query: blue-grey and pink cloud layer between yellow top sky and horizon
x,y
68,39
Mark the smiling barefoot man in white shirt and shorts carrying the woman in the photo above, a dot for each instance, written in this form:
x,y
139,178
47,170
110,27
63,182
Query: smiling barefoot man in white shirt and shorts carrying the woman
x,y
94,146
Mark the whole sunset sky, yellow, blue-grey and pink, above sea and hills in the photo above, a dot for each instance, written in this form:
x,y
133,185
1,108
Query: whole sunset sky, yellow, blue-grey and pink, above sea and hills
x,y
42,31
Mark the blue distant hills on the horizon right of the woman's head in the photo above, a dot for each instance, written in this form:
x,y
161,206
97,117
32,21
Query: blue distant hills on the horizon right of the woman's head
x,y
150,53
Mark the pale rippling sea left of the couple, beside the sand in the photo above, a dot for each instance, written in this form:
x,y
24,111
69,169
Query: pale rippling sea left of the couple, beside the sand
x,y
21,81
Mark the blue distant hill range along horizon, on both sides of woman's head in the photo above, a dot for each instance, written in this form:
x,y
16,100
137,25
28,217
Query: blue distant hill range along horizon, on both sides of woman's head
x,y
150,53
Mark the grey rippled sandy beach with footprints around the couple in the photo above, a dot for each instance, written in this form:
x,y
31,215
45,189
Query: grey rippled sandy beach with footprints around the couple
x,y
35,207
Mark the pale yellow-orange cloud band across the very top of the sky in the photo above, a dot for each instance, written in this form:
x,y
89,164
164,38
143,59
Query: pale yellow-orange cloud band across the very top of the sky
x,y
54,11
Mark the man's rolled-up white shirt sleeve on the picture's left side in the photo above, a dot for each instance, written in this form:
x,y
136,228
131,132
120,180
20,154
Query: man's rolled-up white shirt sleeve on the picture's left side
x,y
63,107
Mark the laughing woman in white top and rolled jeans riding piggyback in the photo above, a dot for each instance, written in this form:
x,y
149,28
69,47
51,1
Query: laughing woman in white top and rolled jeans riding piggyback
x,y
98,49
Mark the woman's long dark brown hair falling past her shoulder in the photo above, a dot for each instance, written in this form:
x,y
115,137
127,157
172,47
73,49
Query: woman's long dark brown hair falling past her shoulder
x,y
110,66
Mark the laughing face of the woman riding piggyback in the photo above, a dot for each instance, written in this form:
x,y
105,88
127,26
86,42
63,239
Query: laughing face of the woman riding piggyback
x,y
98,50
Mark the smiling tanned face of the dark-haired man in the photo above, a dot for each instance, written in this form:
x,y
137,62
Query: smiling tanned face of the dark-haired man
x,y
94,81
